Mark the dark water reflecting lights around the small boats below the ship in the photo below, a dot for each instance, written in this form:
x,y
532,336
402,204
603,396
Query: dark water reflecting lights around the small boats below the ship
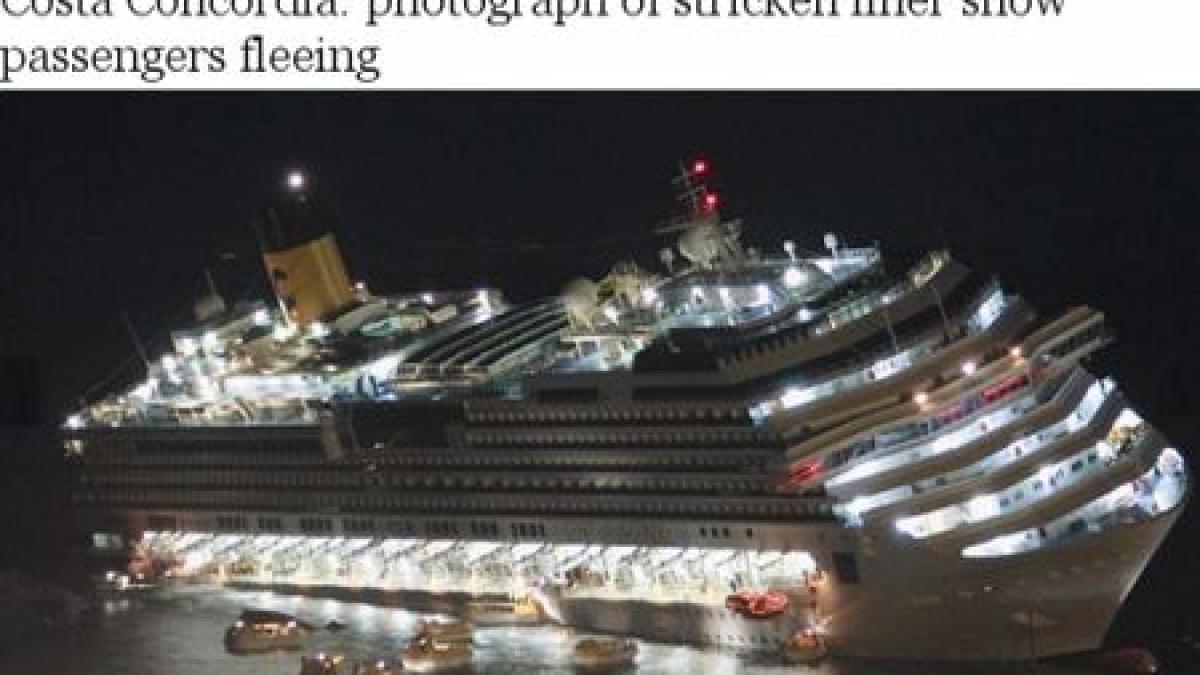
x,y
179,632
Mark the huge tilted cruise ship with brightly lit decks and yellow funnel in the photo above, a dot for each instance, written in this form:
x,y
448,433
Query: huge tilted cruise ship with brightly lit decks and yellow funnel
x,y
731,447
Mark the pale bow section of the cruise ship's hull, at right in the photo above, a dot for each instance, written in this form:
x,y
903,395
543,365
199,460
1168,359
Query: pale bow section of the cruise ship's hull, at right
x,y
1043,604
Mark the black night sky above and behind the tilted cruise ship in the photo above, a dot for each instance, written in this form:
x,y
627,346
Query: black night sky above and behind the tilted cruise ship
x,y
118,202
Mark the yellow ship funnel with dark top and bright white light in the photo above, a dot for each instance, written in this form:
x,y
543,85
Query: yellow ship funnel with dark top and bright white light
x,y
302,258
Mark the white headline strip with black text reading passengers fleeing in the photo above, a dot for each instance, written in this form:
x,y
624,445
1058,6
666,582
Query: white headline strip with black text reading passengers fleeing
x,y
598,44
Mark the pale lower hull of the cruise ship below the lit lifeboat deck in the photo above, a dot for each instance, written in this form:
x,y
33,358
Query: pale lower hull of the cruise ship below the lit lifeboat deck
x,y
909,605
